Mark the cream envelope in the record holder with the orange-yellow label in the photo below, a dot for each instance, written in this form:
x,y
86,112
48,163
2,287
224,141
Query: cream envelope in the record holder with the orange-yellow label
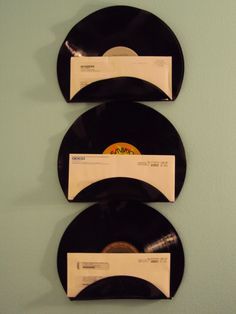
x,y
156,170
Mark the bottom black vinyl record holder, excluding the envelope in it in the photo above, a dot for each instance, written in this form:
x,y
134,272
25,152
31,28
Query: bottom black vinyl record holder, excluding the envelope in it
x,y
118,227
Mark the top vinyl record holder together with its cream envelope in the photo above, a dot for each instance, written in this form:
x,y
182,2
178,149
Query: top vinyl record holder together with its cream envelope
x,y
152,67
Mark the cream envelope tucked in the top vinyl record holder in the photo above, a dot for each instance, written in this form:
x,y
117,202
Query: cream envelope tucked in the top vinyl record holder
x,y
153,69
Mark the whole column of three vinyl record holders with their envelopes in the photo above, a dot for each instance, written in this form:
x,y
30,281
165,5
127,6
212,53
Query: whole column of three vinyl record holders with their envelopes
x,y
121,154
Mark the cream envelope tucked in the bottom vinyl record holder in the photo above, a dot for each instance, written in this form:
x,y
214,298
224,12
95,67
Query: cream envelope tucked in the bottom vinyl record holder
x,y
84,269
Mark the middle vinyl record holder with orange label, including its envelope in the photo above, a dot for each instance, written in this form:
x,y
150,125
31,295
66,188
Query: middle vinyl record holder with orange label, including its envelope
x,y
121,128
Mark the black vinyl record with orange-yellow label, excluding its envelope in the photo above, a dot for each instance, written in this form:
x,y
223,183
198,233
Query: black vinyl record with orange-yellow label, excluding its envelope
x,y
140,127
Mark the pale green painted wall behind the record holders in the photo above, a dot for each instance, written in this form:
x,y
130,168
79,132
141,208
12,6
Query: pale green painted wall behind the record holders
x,y
34,117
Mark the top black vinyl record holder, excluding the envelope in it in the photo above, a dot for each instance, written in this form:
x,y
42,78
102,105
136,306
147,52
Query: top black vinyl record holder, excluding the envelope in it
x,y
138,31
